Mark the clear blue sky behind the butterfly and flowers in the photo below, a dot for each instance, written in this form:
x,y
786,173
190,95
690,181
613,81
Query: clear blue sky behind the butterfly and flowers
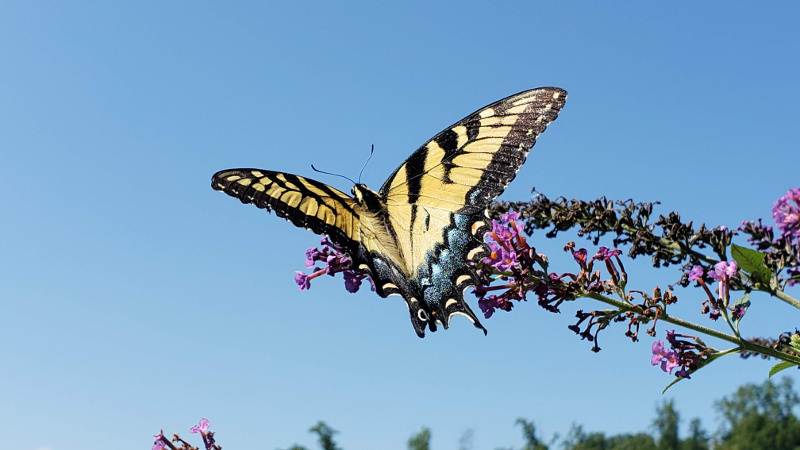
x,y
133,297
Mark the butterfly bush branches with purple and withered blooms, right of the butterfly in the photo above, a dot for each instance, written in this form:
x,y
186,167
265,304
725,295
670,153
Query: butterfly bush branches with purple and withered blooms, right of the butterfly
x,y
726,274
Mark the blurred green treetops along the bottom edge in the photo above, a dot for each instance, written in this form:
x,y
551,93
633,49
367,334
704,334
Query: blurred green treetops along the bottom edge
x,y
754,417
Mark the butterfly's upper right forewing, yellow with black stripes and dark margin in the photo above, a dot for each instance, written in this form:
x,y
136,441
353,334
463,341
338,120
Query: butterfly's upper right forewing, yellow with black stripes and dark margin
x,y
492,142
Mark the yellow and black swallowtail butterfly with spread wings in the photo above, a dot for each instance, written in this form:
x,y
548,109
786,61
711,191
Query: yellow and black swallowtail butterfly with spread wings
x,y
417,234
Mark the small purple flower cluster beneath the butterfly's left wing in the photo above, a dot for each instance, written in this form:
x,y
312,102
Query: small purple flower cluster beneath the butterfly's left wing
x,y
335,261
